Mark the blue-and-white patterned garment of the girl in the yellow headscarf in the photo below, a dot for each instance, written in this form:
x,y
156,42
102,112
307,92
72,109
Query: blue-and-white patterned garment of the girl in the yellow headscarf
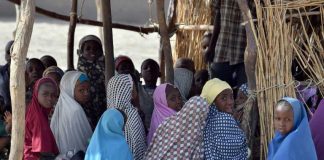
x,y
223,138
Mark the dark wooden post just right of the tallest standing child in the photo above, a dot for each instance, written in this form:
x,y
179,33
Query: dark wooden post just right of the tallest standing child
x,y
108,40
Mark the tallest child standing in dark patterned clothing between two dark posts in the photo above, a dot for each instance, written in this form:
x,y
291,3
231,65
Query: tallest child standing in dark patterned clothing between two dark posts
x,y
92,63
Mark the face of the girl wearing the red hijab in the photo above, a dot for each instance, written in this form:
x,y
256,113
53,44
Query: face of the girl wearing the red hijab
x,y
47,95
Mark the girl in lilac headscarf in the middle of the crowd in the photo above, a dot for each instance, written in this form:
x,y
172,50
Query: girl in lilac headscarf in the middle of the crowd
x,y
167,102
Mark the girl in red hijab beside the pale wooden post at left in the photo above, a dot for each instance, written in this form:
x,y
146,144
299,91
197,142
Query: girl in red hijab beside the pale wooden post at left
x,y
39,139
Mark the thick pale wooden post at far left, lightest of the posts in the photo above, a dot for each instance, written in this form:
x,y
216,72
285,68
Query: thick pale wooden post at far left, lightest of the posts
x,y
17,77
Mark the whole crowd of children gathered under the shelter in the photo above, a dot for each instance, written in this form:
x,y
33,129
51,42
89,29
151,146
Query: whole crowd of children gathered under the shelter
x,y
74,115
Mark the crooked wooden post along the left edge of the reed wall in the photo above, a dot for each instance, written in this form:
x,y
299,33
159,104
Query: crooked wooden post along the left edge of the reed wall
x,y
250,58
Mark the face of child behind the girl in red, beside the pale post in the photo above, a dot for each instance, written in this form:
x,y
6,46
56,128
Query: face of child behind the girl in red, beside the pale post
x,y
34,72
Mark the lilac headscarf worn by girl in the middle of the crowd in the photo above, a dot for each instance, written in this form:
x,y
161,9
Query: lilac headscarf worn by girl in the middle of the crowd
x,y
161,110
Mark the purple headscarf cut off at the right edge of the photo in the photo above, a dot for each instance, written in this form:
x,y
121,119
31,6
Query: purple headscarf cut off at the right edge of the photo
x,y
316,125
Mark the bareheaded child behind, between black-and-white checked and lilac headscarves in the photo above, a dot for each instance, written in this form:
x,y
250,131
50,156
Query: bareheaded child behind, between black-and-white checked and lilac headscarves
x,y
150,72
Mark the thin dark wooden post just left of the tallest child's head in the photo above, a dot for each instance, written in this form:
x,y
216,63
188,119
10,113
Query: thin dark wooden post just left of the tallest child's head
x,y
70,46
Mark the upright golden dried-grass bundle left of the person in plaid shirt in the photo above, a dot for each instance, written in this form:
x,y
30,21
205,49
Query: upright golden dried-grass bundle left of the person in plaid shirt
x,y
188,42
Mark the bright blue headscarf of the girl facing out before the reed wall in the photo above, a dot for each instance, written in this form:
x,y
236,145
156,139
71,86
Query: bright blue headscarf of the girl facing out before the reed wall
x,y
298,144
